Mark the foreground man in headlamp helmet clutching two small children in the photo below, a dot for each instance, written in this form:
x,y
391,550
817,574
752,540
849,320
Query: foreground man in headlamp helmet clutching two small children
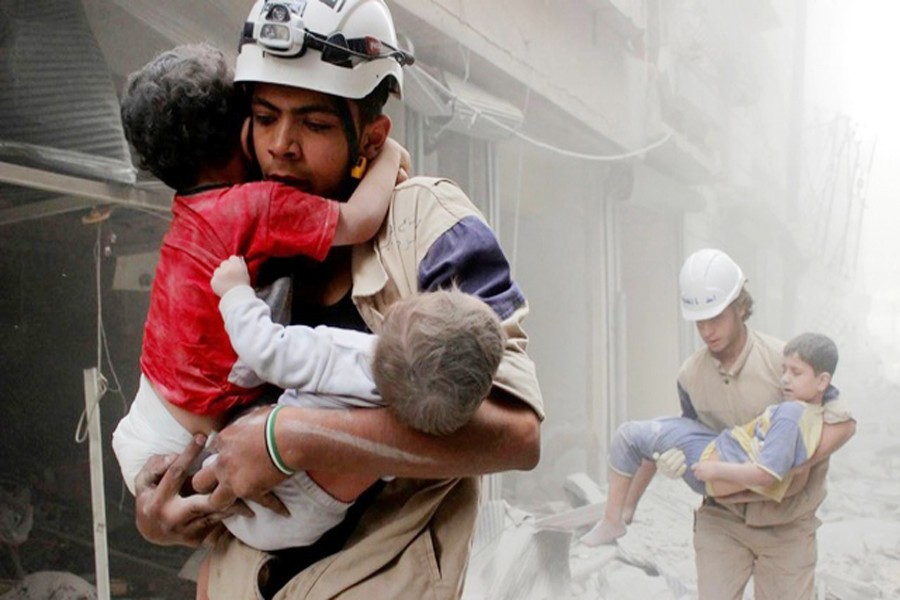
x,y
316,113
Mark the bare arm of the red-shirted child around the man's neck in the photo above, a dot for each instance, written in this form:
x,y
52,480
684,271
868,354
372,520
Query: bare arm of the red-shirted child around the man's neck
x,y
362,215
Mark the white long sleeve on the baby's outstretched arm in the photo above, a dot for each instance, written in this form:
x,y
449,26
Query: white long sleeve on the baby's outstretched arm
x,y
325,360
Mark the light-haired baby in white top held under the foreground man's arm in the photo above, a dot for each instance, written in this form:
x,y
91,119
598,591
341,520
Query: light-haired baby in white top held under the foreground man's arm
x,y
432,363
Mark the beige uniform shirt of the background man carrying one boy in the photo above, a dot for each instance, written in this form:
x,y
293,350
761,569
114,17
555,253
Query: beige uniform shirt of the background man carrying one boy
x,y
724,399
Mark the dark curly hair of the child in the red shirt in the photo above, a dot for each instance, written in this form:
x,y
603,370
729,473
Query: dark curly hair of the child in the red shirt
x,y
181,113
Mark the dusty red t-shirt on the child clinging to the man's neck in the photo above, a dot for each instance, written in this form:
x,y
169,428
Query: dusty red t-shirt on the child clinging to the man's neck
x,y
186,351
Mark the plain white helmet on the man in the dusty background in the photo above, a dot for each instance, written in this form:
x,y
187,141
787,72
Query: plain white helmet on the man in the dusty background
x,y
709,282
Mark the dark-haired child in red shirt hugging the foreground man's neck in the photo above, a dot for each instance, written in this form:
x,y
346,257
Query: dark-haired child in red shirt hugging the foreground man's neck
x,y
184,117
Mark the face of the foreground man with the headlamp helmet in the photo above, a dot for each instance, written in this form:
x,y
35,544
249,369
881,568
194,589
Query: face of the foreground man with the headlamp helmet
x,y
299,138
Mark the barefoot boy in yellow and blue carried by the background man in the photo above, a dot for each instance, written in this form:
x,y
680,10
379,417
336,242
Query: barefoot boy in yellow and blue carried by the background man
x,y
757,456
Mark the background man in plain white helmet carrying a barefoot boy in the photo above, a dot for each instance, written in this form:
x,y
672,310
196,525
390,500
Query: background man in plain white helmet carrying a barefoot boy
x,y
729,382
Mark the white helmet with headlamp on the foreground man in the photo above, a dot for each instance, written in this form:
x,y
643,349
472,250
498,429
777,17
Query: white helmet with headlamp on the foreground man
x,y
340,47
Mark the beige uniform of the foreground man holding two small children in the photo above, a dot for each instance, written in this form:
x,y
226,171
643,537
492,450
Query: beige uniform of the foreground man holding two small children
x,y
413,541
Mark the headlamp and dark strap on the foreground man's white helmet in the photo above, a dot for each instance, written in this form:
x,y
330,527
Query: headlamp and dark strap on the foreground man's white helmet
x,y
280,31
